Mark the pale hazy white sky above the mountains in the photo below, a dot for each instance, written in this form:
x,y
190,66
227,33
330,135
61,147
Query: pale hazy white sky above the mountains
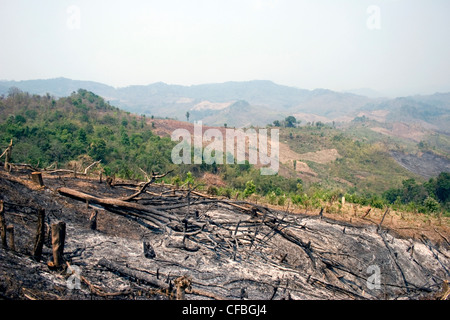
x,y
393,46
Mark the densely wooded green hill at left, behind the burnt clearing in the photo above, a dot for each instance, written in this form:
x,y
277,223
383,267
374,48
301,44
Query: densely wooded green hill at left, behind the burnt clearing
x,y
47,130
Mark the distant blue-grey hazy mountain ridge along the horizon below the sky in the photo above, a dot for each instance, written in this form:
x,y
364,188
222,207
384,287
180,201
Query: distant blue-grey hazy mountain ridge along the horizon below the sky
x,y
261,101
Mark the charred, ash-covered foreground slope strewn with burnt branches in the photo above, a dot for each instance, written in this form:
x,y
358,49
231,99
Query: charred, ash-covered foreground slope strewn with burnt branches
x,y
221,249
